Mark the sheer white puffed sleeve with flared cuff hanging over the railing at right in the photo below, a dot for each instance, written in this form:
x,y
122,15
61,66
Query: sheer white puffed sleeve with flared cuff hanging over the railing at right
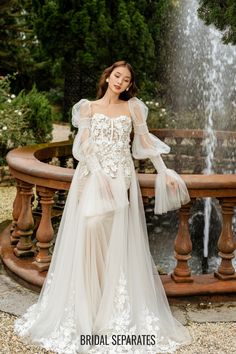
x,y
170,190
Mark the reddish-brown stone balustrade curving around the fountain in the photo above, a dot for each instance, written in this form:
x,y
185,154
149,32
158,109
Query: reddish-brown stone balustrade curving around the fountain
x,y
38,179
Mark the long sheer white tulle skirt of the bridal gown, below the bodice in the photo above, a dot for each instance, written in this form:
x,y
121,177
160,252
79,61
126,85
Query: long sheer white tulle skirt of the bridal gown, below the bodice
x,y
102,293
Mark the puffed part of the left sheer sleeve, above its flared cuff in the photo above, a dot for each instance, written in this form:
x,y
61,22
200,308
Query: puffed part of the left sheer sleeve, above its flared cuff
x,y
83,148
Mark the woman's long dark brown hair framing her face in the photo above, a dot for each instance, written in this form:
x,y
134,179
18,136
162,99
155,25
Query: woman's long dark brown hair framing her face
x,y
102,84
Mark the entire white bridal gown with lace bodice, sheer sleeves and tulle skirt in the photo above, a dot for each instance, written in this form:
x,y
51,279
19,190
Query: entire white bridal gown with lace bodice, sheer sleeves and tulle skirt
x,y
102,280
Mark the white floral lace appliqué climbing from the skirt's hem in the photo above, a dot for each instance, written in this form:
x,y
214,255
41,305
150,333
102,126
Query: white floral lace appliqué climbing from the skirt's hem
x,y
66,337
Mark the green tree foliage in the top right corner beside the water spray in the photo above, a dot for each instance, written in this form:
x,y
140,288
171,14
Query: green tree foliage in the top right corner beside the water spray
x,y
221,13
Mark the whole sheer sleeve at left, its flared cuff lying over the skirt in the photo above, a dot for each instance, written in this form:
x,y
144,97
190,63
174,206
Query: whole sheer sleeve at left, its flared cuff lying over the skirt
x,y
108,193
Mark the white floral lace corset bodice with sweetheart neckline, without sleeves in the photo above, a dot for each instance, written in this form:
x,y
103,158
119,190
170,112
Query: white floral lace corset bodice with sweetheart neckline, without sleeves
x,y
111,139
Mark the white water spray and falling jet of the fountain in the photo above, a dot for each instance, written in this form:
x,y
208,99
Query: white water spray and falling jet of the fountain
x,y
202,88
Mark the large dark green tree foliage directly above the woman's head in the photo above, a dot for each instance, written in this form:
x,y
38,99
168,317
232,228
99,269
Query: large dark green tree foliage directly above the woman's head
x,y
94,33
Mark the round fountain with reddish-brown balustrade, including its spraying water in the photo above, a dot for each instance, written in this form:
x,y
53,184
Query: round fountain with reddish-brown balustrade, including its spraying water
x,y
196,82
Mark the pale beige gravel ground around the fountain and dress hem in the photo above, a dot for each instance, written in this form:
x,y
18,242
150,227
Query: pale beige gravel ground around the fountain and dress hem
x,y
208,337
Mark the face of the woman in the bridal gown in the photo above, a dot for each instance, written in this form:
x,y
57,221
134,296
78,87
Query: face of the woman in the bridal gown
x,y
120,79
